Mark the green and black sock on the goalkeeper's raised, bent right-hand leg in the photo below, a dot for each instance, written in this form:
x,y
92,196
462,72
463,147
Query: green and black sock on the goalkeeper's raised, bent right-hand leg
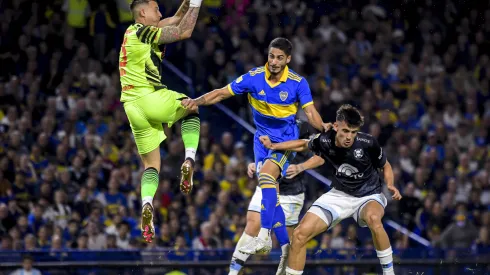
x,y
191,126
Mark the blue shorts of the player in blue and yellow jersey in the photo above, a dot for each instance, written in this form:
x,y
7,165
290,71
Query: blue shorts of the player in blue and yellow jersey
x,y
281,158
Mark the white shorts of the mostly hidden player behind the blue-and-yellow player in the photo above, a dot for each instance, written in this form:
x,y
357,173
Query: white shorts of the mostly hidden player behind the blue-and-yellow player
x,y
291,204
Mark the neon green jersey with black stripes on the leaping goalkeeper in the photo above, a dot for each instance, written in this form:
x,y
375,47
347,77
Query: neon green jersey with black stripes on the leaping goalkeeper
x,y
140,61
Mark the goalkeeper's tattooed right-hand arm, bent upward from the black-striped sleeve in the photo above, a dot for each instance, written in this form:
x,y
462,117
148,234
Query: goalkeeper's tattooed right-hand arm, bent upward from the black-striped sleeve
x,y
182,31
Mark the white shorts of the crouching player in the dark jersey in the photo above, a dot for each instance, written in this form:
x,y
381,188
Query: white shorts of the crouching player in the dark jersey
x,y
343,206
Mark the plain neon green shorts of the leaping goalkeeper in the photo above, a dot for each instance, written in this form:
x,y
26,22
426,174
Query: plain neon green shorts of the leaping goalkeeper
x,y
147,114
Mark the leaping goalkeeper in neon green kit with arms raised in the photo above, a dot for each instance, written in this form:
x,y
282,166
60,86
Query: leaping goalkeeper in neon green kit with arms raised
x,y
147,101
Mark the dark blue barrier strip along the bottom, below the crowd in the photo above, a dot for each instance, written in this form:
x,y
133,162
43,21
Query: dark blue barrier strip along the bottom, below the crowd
x,y
345,261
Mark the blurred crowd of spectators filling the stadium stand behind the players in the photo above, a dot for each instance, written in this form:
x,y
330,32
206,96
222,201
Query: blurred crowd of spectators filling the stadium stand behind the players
x,y
70,172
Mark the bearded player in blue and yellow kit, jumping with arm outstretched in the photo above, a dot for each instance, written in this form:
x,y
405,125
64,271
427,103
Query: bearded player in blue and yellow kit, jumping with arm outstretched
x,y
274,92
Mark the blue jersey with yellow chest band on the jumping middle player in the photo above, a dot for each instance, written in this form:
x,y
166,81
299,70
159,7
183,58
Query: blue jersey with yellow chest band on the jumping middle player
x,y
274,105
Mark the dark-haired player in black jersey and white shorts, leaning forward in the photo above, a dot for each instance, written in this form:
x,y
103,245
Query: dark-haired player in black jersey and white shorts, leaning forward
x,y
353,160
